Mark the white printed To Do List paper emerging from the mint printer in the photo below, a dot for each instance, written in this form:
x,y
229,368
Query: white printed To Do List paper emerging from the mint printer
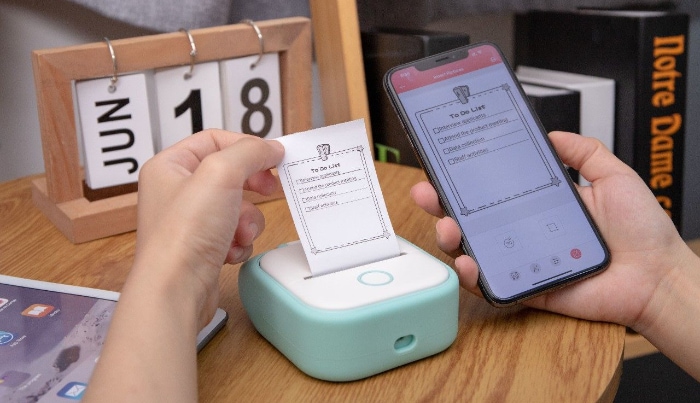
x,y
332,189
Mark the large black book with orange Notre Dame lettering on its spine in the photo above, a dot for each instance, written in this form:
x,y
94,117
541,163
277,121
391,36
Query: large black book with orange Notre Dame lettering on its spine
x,y
645,52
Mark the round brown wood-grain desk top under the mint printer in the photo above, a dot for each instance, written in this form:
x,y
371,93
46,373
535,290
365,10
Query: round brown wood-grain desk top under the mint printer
x,y
512,354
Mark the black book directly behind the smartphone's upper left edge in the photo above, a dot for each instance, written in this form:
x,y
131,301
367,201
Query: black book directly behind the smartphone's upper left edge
x,y
384,48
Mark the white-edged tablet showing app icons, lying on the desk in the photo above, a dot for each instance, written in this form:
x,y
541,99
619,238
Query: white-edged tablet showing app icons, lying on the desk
x,y
51,336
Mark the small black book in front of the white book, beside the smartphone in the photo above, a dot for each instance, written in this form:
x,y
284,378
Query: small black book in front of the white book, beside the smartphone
x,y
557,109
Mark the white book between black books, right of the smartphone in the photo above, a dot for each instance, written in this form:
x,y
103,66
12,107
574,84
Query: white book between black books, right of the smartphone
x,y
597,100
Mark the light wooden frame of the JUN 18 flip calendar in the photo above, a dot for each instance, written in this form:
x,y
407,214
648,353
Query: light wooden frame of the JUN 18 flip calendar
x,y
59,193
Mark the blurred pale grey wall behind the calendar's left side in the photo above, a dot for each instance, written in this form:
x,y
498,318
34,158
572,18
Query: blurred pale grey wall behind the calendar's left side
x,y
26,25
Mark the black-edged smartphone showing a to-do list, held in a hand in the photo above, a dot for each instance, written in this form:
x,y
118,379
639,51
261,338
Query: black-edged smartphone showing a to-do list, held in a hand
x,y
496,173
